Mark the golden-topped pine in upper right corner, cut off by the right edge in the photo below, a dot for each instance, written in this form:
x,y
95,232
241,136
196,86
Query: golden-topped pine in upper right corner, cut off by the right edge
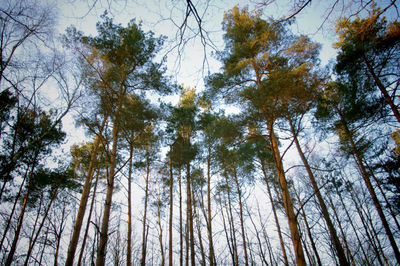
x,y
369,54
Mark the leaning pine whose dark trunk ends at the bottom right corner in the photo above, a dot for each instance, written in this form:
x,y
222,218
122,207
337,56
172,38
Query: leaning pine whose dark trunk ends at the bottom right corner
x,y
348,109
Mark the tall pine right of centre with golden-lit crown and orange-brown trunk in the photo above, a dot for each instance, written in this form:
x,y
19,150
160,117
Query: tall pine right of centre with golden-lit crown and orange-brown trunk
x,y
254,72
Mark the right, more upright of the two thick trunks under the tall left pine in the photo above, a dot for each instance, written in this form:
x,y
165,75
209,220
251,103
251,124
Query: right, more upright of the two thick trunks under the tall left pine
x,y
101,252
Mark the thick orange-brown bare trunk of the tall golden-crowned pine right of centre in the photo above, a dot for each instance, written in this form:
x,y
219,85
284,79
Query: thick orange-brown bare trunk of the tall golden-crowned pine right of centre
x,y
287,201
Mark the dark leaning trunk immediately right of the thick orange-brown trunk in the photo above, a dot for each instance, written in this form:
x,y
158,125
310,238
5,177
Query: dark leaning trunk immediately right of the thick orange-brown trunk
x,y
332,231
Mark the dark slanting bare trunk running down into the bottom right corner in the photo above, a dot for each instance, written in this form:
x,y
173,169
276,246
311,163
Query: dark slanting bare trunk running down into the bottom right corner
x,y
371,191
